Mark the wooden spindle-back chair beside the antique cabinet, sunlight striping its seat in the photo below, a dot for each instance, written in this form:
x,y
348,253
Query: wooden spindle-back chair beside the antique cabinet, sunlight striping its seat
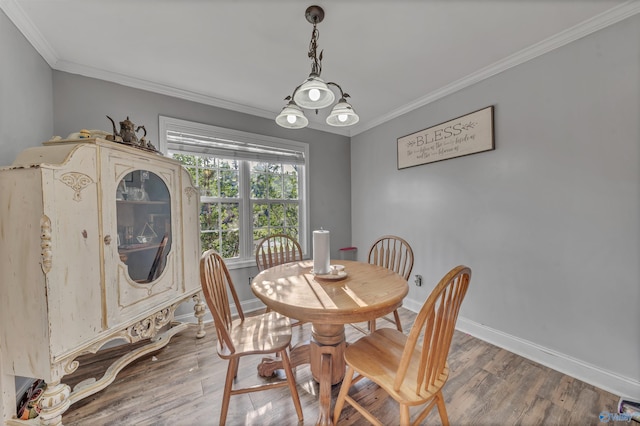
x,y
261,334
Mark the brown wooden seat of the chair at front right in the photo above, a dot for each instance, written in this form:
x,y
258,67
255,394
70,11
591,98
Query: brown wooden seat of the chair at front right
x,y
377,356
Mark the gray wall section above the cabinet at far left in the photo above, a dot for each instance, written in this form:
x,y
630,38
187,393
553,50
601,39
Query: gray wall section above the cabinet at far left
x,y
26,94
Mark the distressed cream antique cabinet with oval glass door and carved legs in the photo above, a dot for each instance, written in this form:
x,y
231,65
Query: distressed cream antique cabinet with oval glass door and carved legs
x,y
98,241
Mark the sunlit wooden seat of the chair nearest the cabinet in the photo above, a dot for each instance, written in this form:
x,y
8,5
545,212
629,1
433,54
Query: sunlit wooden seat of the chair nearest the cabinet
x,y
266,333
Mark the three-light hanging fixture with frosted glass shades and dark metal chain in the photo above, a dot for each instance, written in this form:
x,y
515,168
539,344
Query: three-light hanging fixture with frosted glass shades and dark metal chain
x,y
314,93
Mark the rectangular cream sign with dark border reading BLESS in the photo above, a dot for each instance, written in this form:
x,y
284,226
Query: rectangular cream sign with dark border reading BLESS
x,y
469,134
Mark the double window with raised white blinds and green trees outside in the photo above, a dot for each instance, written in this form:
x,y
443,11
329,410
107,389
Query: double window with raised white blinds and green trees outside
x,y
250,185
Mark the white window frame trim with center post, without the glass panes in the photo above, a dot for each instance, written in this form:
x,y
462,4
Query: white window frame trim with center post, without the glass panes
x,y
167,124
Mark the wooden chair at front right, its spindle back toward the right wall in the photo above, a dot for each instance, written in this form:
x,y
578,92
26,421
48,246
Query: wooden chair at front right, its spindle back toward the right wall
x,y
411,369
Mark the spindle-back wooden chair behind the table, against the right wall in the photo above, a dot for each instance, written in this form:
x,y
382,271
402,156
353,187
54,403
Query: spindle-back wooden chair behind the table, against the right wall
x,y
396,254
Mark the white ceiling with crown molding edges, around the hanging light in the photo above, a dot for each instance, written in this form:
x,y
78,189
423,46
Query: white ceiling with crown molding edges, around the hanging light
x,y
247,55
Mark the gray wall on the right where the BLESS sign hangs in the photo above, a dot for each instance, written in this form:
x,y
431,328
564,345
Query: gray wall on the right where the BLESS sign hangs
x,y
548,222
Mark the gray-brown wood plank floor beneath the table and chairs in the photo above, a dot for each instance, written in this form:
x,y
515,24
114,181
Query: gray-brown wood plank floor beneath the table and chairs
x,y
181,384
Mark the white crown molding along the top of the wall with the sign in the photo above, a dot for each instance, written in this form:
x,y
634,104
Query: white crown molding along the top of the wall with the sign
x,y
598,22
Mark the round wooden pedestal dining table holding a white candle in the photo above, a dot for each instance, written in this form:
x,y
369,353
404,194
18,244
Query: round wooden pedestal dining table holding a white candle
x,y
360,293
